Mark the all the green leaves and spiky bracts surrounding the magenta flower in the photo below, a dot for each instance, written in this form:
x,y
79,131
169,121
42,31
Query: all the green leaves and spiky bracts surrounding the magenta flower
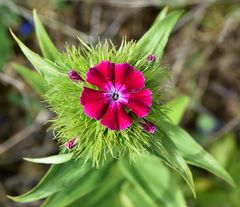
x,y
98,146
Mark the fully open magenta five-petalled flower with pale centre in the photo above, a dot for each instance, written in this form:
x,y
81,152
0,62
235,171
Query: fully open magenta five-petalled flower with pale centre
x,y
120,91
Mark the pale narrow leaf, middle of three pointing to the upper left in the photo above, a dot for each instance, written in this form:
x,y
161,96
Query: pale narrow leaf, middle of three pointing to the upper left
x,y
44,67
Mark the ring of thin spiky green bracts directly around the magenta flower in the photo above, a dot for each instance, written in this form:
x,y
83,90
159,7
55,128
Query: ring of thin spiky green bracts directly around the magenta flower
x,y
94,141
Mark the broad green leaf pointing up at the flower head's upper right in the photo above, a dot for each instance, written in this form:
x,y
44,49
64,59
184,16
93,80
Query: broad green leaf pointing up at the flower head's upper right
x,y
155,40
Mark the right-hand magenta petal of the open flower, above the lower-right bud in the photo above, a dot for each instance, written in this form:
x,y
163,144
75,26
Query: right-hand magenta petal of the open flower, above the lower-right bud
x,y
140,102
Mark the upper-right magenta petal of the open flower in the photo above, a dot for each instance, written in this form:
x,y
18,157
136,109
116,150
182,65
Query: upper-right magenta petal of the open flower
x,y
128,78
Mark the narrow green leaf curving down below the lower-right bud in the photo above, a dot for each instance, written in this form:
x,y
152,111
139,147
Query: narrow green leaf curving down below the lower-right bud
x,y
163,147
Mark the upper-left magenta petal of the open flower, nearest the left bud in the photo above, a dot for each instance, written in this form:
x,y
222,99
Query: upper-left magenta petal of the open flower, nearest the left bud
x,y
101,75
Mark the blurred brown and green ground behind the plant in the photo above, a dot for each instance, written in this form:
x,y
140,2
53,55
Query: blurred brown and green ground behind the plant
x,y
203,57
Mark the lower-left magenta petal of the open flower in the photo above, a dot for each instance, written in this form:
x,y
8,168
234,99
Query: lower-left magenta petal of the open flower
x,y
94,103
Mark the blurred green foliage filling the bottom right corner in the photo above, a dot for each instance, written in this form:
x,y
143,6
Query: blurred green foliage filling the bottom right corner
x,y
213,193
